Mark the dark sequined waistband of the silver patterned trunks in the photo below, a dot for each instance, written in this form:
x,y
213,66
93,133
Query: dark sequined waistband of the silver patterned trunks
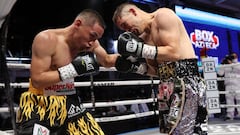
x,y
181,68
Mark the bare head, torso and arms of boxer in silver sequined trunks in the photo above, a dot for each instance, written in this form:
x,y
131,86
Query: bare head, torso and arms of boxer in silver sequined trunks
x,y
162,28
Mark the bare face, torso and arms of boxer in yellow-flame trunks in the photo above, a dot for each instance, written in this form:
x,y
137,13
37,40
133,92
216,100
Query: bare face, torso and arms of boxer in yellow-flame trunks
x,y
55,48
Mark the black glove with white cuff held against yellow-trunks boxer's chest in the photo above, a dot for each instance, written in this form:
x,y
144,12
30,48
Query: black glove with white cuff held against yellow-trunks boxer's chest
x,y
82,64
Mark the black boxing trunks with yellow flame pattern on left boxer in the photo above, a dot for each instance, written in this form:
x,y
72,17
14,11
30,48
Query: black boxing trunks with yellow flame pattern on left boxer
x,y
54,115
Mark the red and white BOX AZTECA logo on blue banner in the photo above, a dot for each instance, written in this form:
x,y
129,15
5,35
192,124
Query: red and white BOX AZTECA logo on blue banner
x,y
204,38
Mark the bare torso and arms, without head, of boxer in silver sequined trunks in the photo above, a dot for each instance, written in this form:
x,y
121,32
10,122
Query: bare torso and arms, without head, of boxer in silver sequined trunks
x,y
170,36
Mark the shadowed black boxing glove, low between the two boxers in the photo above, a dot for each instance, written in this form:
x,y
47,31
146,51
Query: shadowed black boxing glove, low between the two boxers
x,y
130,64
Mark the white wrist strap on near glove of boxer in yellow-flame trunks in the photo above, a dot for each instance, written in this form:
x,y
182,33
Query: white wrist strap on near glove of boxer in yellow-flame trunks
x,y
67,72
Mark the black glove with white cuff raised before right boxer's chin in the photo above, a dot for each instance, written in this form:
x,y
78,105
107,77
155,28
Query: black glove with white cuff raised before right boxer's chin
x,y
130,44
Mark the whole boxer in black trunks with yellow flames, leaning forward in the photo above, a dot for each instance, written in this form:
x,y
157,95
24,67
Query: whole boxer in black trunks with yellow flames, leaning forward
x,y
51,105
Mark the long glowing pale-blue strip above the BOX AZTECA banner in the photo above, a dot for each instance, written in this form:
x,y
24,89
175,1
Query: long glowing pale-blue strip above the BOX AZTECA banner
x,y
197,16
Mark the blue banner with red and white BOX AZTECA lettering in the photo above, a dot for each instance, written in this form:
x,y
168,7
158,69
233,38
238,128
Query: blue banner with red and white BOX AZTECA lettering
x,y
208,40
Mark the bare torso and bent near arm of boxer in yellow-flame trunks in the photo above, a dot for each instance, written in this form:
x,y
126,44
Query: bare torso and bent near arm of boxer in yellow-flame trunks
x,y
51,49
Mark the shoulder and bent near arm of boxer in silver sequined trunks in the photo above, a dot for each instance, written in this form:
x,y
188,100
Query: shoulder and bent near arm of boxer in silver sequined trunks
x,y
167,37
